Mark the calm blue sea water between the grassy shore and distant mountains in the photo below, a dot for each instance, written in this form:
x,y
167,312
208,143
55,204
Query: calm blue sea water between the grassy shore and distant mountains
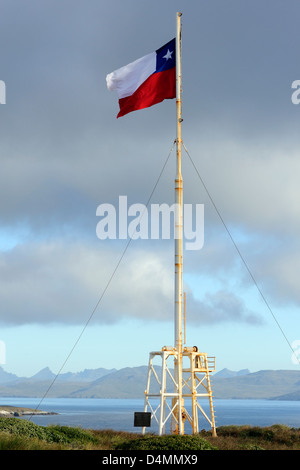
x,y
118,414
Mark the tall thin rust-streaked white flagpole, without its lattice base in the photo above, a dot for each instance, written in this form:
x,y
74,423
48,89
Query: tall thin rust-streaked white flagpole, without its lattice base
x,y
178,238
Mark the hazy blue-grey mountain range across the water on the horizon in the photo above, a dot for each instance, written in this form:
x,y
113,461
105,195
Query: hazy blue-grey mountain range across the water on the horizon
x,y
130,382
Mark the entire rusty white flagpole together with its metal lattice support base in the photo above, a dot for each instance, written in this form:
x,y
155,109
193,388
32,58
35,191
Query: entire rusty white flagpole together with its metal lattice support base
x,y
172,388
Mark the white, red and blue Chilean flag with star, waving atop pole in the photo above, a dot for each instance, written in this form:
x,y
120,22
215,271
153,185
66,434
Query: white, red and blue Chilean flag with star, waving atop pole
x,y
146,81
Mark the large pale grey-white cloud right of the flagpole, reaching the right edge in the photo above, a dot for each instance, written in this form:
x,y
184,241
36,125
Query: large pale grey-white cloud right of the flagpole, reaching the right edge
x,y
254,187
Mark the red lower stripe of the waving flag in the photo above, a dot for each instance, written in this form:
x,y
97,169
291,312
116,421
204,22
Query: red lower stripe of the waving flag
x,y
158,87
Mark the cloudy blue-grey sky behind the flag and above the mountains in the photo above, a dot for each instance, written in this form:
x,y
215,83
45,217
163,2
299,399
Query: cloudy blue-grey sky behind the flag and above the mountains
x,y
68,300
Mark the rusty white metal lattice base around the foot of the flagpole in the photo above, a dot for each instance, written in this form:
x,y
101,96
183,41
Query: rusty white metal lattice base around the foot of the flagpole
x,y
162,397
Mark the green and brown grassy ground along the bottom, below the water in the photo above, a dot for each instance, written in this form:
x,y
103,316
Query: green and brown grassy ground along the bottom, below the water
x,y
20,434
